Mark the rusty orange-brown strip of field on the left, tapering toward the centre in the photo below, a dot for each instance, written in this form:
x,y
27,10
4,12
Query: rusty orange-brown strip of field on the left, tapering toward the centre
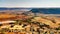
x,y
12,17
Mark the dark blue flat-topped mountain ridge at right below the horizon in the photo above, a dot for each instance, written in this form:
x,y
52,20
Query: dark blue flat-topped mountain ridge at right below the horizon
x,y
46,10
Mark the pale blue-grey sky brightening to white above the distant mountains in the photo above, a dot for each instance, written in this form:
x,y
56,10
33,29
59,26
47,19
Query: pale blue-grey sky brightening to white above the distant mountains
x,y
30,3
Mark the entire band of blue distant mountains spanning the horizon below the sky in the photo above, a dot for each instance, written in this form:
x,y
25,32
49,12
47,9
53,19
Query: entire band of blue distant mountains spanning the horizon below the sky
x,y
37,10
